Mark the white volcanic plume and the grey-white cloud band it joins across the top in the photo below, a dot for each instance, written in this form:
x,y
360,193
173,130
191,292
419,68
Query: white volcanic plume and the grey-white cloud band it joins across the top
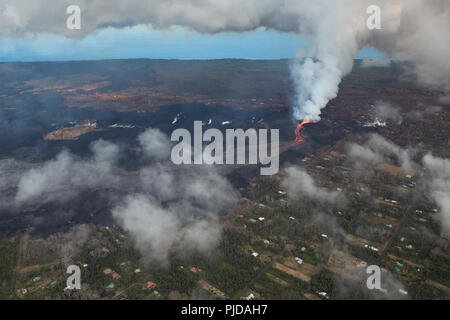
x,y
411,30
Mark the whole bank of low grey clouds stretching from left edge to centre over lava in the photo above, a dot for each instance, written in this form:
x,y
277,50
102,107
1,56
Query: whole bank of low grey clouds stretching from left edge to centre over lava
x,y
167,209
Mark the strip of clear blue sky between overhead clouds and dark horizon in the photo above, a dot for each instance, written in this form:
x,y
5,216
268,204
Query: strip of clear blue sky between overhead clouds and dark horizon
x,y
144,42
